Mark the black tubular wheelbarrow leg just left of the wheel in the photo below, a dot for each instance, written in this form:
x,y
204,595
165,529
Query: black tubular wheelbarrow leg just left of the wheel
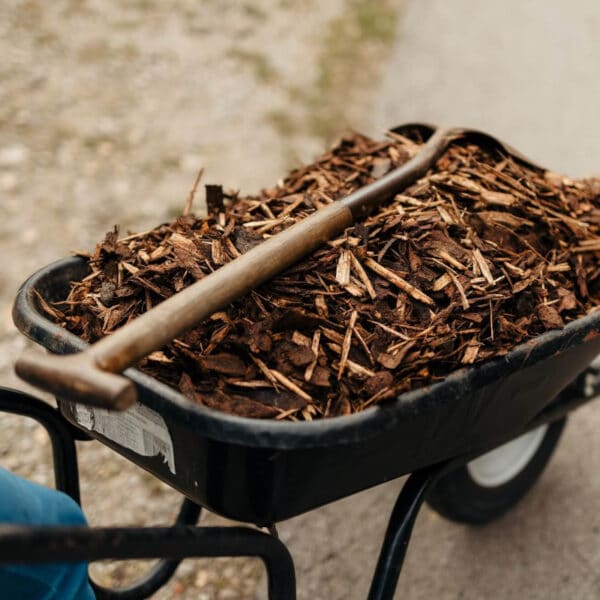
x,y
399,530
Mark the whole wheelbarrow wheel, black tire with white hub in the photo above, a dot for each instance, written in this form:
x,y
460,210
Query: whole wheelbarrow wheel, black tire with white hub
x,y
488,486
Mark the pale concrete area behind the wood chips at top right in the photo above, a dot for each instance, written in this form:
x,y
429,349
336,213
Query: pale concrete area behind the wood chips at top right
x,y
526,71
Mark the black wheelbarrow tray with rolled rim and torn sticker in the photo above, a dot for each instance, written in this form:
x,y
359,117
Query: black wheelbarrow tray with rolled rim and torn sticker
x,y
263,471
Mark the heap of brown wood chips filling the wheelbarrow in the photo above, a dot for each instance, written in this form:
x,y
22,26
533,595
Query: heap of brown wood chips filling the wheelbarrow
x,y
481,254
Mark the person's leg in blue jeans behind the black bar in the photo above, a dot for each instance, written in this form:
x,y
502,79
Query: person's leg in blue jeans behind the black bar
x,y
26,503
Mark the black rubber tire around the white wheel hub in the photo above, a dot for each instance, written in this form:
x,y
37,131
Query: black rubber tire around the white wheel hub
x,y
457,497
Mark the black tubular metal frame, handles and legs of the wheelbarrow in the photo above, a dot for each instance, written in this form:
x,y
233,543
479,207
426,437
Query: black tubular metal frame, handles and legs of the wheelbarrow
x,y
19,544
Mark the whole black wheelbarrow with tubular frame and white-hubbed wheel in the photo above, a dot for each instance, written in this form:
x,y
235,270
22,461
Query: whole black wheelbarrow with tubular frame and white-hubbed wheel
x,y
473,443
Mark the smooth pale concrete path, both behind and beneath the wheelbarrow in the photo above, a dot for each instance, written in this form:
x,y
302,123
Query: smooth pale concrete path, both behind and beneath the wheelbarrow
x,y
528,72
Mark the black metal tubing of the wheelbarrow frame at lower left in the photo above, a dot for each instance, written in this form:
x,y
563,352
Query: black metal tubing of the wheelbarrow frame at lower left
x,y
170,545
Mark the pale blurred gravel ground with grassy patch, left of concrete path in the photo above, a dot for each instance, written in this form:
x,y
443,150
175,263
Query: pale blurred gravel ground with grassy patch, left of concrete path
x,y
107,111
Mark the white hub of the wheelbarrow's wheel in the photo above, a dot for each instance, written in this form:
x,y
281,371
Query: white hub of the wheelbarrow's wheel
x,y
501,464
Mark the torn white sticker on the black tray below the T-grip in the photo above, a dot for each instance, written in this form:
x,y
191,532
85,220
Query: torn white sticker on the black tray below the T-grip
x,y
138,428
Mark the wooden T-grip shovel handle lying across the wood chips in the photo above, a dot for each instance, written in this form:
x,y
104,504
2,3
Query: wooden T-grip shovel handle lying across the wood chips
x,y
89,377
